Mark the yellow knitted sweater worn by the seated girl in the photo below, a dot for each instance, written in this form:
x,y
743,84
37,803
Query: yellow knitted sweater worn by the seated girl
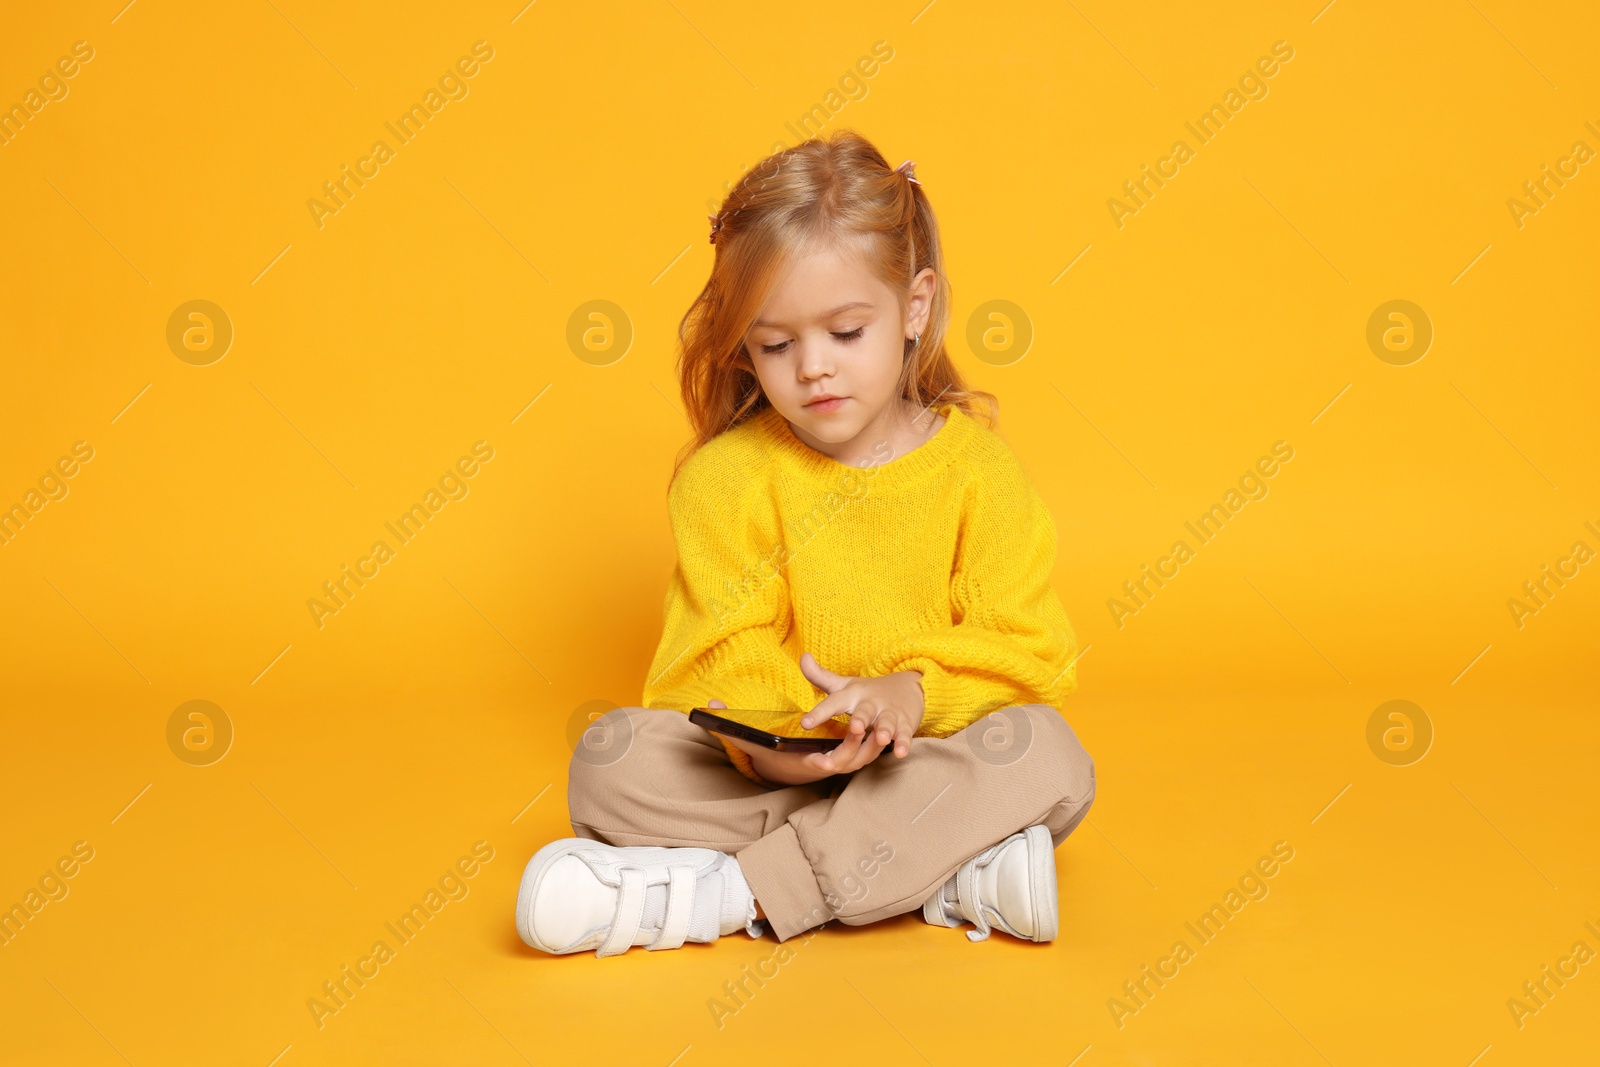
x,y
935,561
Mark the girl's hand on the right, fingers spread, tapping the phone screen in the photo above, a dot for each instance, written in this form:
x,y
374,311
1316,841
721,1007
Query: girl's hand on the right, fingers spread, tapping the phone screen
x,y
882,711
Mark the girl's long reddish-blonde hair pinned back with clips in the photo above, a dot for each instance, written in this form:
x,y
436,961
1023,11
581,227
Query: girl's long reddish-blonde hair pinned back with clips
x,y
825,191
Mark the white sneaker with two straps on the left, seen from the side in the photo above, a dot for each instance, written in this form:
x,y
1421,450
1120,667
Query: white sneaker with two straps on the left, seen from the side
x,y
580,895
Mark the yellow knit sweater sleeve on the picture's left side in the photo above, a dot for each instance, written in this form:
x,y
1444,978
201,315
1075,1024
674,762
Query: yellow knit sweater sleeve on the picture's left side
x,y
727,610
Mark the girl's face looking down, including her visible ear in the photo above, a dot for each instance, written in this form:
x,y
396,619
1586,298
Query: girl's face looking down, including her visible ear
x,y
833,329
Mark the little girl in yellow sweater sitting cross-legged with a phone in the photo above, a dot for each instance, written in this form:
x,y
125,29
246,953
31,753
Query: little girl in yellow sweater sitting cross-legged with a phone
x,y
847,527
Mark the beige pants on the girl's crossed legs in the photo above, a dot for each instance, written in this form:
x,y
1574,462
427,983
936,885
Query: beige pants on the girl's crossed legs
x,y
854,847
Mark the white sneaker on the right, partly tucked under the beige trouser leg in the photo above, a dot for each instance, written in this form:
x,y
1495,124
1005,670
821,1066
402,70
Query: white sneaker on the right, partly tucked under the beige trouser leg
x,y
1010,885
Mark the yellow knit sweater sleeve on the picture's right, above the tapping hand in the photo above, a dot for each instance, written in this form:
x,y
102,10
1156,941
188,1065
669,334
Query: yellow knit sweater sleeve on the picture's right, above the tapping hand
x,y
1010,641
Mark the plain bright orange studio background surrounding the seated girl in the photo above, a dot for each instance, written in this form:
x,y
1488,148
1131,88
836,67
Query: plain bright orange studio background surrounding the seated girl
x,y
1167,356
